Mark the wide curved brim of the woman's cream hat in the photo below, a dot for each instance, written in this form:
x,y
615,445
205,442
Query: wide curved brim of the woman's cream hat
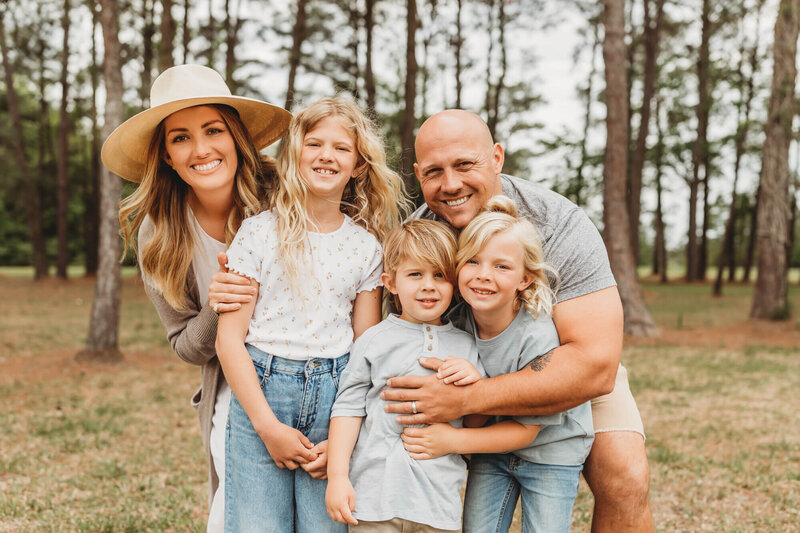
x,y
125,150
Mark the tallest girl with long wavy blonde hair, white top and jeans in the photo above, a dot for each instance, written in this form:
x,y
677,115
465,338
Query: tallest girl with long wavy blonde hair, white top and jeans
x,y
315,259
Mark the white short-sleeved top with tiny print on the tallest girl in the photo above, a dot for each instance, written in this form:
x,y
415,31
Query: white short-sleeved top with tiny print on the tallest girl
x,y
313,319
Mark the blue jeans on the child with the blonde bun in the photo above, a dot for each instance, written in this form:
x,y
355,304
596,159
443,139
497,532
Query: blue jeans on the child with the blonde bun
x,y
495,482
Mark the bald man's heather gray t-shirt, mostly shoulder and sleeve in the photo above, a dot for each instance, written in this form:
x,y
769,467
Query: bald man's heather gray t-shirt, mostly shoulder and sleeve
x,y
571,243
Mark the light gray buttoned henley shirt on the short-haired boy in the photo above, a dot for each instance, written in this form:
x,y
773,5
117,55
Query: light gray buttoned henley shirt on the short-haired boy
x,y
387,481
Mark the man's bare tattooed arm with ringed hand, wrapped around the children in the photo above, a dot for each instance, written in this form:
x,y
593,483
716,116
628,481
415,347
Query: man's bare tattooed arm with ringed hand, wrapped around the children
x,y
583,367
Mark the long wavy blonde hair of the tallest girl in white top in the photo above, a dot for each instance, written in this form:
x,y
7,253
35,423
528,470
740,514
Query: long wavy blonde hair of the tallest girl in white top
x,y
375,199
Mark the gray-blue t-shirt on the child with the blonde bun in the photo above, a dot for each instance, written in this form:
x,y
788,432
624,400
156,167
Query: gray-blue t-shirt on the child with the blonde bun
x,y
565,438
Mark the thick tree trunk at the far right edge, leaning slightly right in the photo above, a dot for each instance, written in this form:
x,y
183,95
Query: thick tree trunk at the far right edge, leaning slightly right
x,y
771,293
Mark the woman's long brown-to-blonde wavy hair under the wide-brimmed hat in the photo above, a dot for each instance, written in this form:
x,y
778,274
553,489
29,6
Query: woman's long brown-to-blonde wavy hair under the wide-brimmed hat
x,y
163,195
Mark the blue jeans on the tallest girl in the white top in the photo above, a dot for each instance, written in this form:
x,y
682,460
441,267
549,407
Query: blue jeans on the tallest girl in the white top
x,y
259,496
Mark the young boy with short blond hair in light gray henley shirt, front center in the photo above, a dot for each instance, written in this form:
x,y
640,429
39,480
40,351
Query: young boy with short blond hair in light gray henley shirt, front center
x,y
388,486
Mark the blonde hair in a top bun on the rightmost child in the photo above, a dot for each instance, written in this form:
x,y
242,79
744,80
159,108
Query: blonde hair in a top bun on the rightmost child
x,y
499,215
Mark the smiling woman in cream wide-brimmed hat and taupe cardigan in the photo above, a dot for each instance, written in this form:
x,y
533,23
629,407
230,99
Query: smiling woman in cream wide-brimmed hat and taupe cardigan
x,y
195,156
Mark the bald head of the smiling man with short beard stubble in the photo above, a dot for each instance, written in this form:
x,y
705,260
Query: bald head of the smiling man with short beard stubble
x,y
458,165
